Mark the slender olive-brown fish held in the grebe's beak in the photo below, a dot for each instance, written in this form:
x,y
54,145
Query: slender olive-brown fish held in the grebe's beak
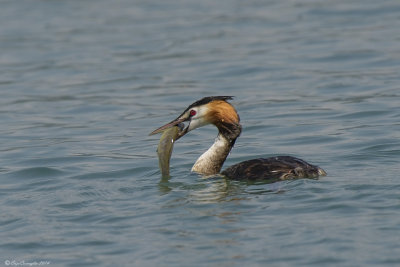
x,y
165,147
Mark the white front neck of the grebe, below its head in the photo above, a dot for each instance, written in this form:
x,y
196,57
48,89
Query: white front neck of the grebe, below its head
x,y
212,160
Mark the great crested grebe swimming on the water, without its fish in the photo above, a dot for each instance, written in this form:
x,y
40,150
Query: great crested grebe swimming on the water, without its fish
x,y
217,111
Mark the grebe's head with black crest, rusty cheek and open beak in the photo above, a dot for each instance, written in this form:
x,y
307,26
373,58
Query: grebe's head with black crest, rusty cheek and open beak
x,y
208,110
